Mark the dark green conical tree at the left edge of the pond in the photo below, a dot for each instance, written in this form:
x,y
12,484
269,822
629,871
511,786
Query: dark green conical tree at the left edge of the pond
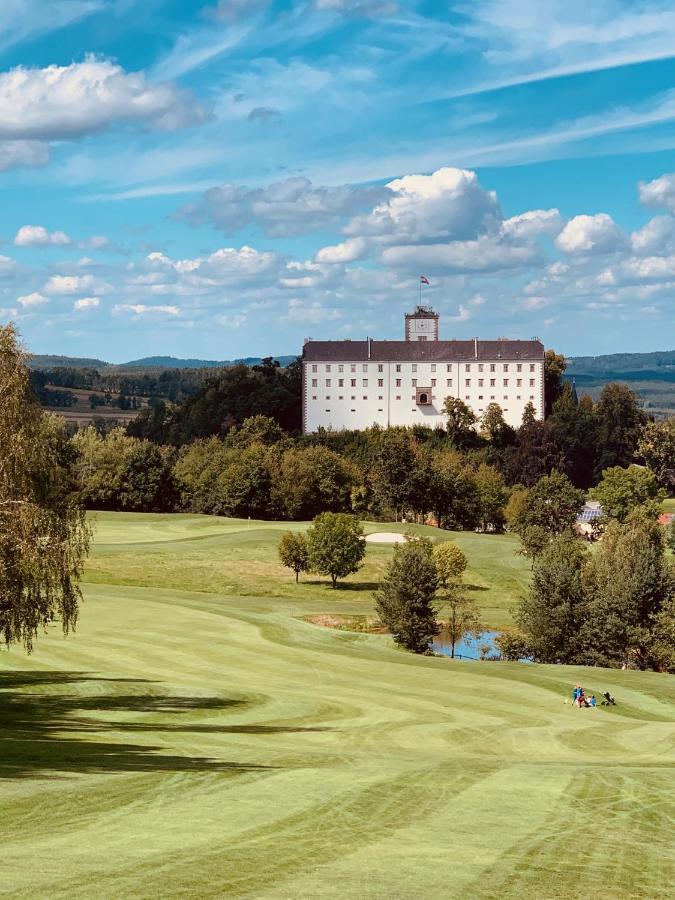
x,y
405,599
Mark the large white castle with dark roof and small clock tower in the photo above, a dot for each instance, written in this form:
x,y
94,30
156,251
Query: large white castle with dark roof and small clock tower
x,y
356,384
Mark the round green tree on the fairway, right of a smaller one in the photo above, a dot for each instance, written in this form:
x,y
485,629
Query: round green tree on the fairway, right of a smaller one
x,y
336,545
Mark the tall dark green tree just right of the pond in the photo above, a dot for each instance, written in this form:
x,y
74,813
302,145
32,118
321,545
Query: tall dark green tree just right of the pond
x,y
551,615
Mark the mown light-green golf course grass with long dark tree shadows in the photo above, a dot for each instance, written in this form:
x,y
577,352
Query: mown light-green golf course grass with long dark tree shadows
x,y
197,737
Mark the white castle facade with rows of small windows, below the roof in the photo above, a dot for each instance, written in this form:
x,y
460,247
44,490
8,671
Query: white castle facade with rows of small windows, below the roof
x,y
385,393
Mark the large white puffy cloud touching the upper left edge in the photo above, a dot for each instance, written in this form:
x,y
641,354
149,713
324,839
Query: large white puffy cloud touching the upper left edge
x,y
65,102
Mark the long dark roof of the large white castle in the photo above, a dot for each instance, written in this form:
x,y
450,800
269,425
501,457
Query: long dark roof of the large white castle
x,y
385,351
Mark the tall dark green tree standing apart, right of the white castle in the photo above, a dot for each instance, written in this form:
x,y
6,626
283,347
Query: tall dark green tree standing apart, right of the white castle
x,y
619,424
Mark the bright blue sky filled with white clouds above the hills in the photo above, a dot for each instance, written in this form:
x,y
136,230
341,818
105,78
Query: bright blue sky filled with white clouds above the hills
x,y
226,178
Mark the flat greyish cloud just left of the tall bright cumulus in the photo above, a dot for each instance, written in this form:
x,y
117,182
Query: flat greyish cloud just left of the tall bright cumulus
x,y
293,206
